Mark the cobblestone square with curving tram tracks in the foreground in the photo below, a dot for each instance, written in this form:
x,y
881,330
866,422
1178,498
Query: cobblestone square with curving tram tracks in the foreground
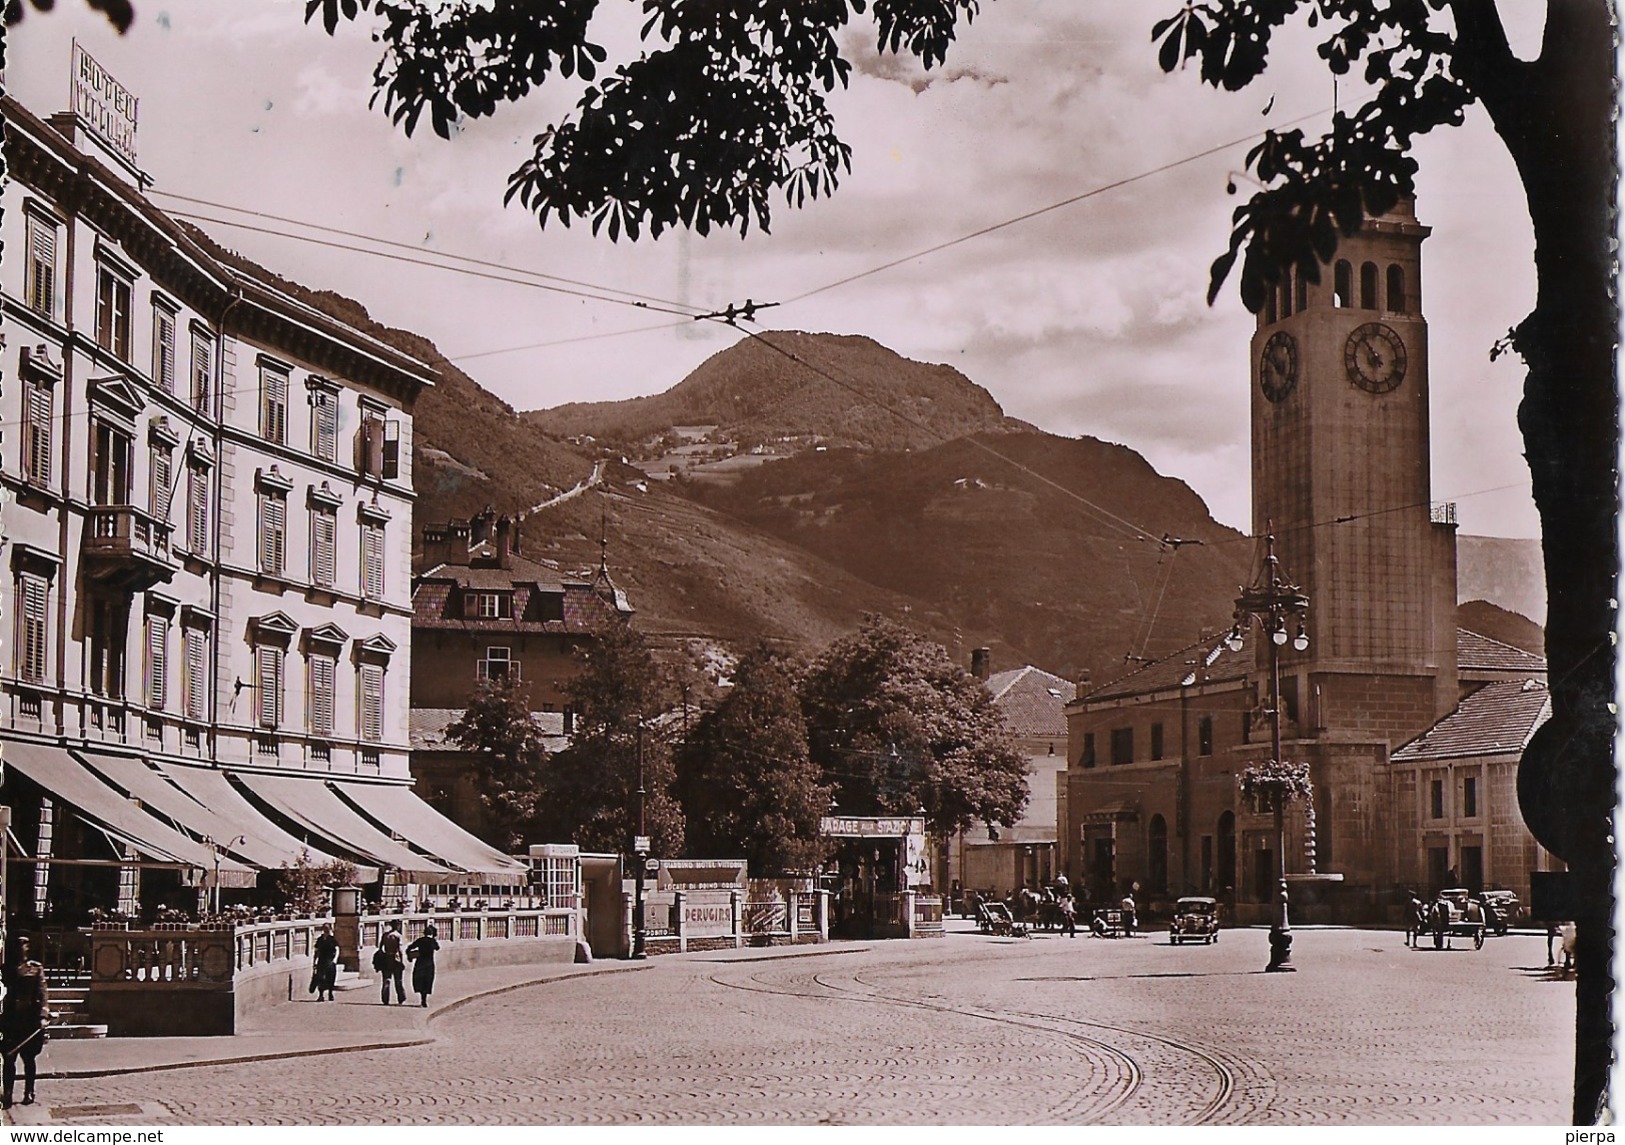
x,y
964,1030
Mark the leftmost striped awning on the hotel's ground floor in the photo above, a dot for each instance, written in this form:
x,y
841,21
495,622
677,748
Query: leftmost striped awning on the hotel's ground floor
x,y
123,819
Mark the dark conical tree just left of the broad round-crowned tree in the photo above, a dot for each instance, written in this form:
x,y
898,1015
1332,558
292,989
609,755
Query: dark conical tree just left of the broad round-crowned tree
x,y
745,779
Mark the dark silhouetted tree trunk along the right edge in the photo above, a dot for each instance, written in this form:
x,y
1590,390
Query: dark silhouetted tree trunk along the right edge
x,y
1556,121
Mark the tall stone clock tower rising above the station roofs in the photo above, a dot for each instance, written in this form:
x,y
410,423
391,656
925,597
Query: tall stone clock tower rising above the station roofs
x,y
1340,415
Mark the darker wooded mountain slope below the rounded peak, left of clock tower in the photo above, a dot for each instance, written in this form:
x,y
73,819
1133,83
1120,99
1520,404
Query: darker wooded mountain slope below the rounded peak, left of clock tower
x,y
1054,543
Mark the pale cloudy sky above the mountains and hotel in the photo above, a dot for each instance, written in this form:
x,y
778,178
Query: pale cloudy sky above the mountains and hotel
x,y
1085,321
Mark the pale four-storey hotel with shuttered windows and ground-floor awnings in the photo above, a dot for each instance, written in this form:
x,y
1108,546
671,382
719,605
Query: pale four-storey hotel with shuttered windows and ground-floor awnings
x,y
209,547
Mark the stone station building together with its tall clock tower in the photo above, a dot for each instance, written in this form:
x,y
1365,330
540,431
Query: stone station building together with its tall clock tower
x,y
1340,426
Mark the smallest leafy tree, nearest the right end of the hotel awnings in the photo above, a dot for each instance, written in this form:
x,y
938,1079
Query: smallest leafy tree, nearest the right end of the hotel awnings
x,y
509,758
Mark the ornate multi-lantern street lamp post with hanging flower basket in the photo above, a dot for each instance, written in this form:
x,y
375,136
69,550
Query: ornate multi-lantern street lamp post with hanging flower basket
x,y
1278,607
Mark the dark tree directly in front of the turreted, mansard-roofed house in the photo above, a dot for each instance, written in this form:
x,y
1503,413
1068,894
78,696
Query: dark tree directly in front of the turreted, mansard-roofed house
x,y
622,701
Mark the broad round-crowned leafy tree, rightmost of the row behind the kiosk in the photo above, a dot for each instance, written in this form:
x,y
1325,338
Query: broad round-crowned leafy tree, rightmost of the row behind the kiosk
x,y
898,727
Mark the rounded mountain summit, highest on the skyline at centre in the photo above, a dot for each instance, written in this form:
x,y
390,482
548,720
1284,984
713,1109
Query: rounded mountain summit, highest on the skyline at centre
x,y
836,389
